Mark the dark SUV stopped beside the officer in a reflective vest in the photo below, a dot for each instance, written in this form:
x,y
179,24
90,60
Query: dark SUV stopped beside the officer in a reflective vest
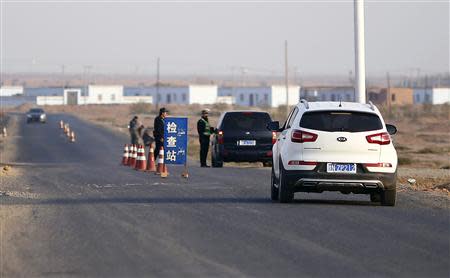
x,y
242,136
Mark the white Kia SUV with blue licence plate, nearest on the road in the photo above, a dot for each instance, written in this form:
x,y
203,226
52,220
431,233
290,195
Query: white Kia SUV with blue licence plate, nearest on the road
x,y
334,146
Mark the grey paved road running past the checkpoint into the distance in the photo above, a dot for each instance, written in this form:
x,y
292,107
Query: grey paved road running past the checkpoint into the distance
x,y
88,216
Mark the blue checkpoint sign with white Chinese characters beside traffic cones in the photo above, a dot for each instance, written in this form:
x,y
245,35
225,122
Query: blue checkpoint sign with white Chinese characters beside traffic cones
x,y
175,140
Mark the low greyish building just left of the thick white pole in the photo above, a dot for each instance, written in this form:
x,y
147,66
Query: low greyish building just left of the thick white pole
x,y
328,93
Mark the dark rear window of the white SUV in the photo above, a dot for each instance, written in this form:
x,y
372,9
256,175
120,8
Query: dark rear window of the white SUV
x,y
348,121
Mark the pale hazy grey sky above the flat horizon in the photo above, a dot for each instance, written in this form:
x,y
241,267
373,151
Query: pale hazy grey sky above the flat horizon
x,y
217,37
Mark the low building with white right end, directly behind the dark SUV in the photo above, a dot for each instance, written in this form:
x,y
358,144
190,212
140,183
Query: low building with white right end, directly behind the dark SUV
x,y
267,96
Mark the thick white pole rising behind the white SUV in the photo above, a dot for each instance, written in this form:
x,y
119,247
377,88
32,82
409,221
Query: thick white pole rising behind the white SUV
x,y
360,63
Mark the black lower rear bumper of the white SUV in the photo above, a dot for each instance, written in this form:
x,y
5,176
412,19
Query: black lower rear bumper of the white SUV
x,y
313,181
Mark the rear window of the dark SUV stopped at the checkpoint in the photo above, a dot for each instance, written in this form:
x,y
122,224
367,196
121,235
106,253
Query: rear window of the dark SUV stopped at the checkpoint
x,y
245,121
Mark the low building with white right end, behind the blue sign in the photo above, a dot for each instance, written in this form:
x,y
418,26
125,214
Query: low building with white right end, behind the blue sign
x,y
191,94
